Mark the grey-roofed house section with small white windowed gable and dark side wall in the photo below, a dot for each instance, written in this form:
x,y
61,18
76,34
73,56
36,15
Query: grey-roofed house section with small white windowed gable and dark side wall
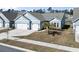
x,y
56,19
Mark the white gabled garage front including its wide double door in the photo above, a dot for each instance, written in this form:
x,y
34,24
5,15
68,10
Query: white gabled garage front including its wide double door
x,y
22,23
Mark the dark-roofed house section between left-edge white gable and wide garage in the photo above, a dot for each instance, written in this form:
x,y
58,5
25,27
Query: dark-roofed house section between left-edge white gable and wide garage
x,y
10,16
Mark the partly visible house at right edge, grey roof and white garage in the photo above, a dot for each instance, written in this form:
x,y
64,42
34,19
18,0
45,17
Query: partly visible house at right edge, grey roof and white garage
x,y
76,23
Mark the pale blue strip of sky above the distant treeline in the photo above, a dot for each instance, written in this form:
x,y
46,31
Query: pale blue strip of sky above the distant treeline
x,y
31,8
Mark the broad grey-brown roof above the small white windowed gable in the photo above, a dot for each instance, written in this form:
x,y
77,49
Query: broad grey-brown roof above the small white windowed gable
x,y
50,16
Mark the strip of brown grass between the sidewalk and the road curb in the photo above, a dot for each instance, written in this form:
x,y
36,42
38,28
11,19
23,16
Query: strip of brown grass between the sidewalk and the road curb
x,y
30,46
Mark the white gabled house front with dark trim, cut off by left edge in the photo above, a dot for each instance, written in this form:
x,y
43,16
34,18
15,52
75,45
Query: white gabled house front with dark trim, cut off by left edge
x,y
4,22
